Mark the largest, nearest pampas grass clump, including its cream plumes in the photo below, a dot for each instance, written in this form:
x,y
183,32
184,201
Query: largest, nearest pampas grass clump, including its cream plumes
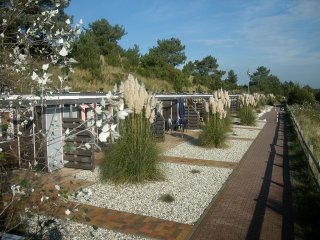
x,y
134,157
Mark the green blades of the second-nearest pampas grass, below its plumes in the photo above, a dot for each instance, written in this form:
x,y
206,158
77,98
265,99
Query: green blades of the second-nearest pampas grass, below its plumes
x,y
214,132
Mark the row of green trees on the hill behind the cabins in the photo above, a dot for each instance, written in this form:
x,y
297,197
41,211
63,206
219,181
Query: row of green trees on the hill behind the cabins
x,y
99,42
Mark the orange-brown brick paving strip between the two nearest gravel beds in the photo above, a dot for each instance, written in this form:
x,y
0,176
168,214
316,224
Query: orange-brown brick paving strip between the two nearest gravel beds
x,y
124,222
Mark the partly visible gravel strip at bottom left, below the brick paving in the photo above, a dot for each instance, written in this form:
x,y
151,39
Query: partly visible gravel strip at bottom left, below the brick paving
x,y
69,230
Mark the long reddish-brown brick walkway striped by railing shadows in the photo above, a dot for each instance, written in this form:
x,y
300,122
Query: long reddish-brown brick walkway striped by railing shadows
x,y
256,201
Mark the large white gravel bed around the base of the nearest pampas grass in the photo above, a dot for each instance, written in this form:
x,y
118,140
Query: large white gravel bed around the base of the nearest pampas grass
x,y
192,193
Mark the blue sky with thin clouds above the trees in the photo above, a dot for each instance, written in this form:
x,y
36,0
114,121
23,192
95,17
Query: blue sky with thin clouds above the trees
x,y
282,35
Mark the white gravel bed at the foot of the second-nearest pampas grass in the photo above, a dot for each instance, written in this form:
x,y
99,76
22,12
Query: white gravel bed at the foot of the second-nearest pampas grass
x,y
233,153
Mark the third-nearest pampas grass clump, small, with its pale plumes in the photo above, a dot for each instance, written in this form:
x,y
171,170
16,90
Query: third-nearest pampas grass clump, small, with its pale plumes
x,y
246,112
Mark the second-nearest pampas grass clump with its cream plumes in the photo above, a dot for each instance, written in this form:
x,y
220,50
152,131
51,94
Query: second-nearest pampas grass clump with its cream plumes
x,y
214,132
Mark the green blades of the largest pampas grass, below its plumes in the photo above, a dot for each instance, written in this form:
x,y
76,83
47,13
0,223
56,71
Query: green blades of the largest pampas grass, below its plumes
x,y
135,157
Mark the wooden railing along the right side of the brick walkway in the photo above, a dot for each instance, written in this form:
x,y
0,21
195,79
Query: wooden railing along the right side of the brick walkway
x,y
313,162
